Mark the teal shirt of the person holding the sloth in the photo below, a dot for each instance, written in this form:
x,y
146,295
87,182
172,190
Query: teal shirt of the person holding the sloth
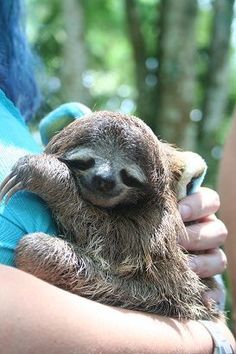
x,y
25,212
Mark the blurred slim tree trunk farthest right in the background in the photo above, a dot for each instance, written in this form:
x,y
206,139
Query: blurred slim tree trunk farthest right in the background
x,y
216,81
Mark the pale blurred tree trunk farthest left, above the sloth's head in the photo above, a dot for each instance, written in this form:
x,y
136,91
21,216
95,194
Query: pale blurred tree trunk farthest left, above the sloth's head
x,y
75,60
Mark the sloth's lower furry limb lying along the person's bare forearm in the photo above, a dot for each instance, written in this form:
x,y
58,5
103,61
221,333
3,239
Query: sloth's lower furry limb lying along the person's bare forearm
x,y
65,265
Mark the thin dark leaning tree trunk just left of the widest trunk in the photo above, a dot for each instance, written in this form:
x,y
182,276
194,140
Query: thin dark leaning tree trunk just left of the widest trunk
x,y
146,90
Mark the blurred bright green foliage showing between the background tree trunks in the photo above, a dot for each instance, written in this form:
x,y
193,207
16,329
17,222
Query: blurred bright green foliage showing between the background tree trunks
x,y
109,74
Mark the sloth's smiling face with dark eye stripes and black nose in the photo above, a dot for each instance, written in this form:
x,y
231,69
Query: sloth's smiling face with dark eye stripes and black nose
x,y
106,177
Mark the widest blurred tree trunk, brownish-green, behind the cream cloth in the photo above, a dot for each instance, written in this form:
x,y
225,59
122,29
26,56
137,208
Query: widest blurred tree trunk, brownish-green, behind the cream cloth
x,y
177,71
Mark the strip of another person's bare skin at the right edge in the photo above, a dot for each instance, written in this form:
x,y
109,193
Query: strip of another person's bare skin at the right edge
x,y
227,191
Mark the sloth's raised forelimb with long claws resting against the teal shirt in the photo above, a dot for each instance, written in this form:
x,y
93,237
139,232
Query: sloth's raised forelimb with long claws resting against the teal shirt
x,y
38,173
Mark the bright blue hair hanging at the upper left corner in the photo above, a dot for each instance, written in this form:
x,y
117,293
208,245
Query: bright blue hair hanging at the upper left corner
x,y
16,60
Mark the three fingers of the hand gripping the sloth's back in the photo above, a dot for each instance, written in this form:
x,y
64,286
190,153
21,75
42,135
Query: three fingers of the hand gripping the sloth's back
x,y
206,234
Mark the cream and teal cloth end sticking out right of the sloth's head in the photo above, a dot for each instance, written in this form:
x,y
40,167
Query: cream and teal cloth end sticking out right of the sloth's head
x,y
193,173
